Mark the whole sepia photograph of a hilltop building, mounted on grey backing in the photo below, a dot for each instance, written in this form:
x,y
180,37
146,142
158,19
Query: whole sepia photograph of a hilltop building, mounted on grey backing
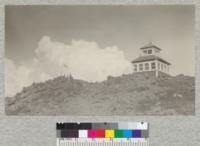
x,y
100,60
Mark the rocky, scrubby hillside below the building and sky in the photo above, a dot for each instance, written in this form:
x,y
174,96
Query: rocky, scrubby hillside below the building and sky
x,y
134,94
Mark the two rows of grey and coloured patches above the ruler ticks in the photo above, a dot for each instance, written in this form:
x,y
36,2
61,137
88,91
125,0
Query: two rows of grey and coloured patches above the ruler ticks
x,y
102,130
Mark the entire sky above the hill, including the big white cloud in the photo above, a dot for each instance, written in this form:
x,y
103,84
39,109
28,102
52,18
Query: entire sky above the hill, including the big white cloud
x,y
93,42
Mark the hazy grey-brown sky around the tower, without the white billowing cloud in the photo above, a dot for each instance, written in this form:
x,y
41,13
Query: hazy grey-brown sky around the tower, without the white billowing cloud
x,y
127,27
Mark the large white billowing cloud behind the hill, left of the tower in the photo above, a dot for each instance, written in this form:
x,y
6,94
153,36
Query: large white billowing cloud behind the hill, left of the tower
x,y
83,60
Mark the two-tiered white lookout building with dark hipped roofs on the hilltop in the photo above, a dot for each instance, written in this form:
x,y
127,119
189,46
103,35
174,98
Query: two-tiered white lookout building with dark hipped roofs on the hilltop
x,y
149,60
